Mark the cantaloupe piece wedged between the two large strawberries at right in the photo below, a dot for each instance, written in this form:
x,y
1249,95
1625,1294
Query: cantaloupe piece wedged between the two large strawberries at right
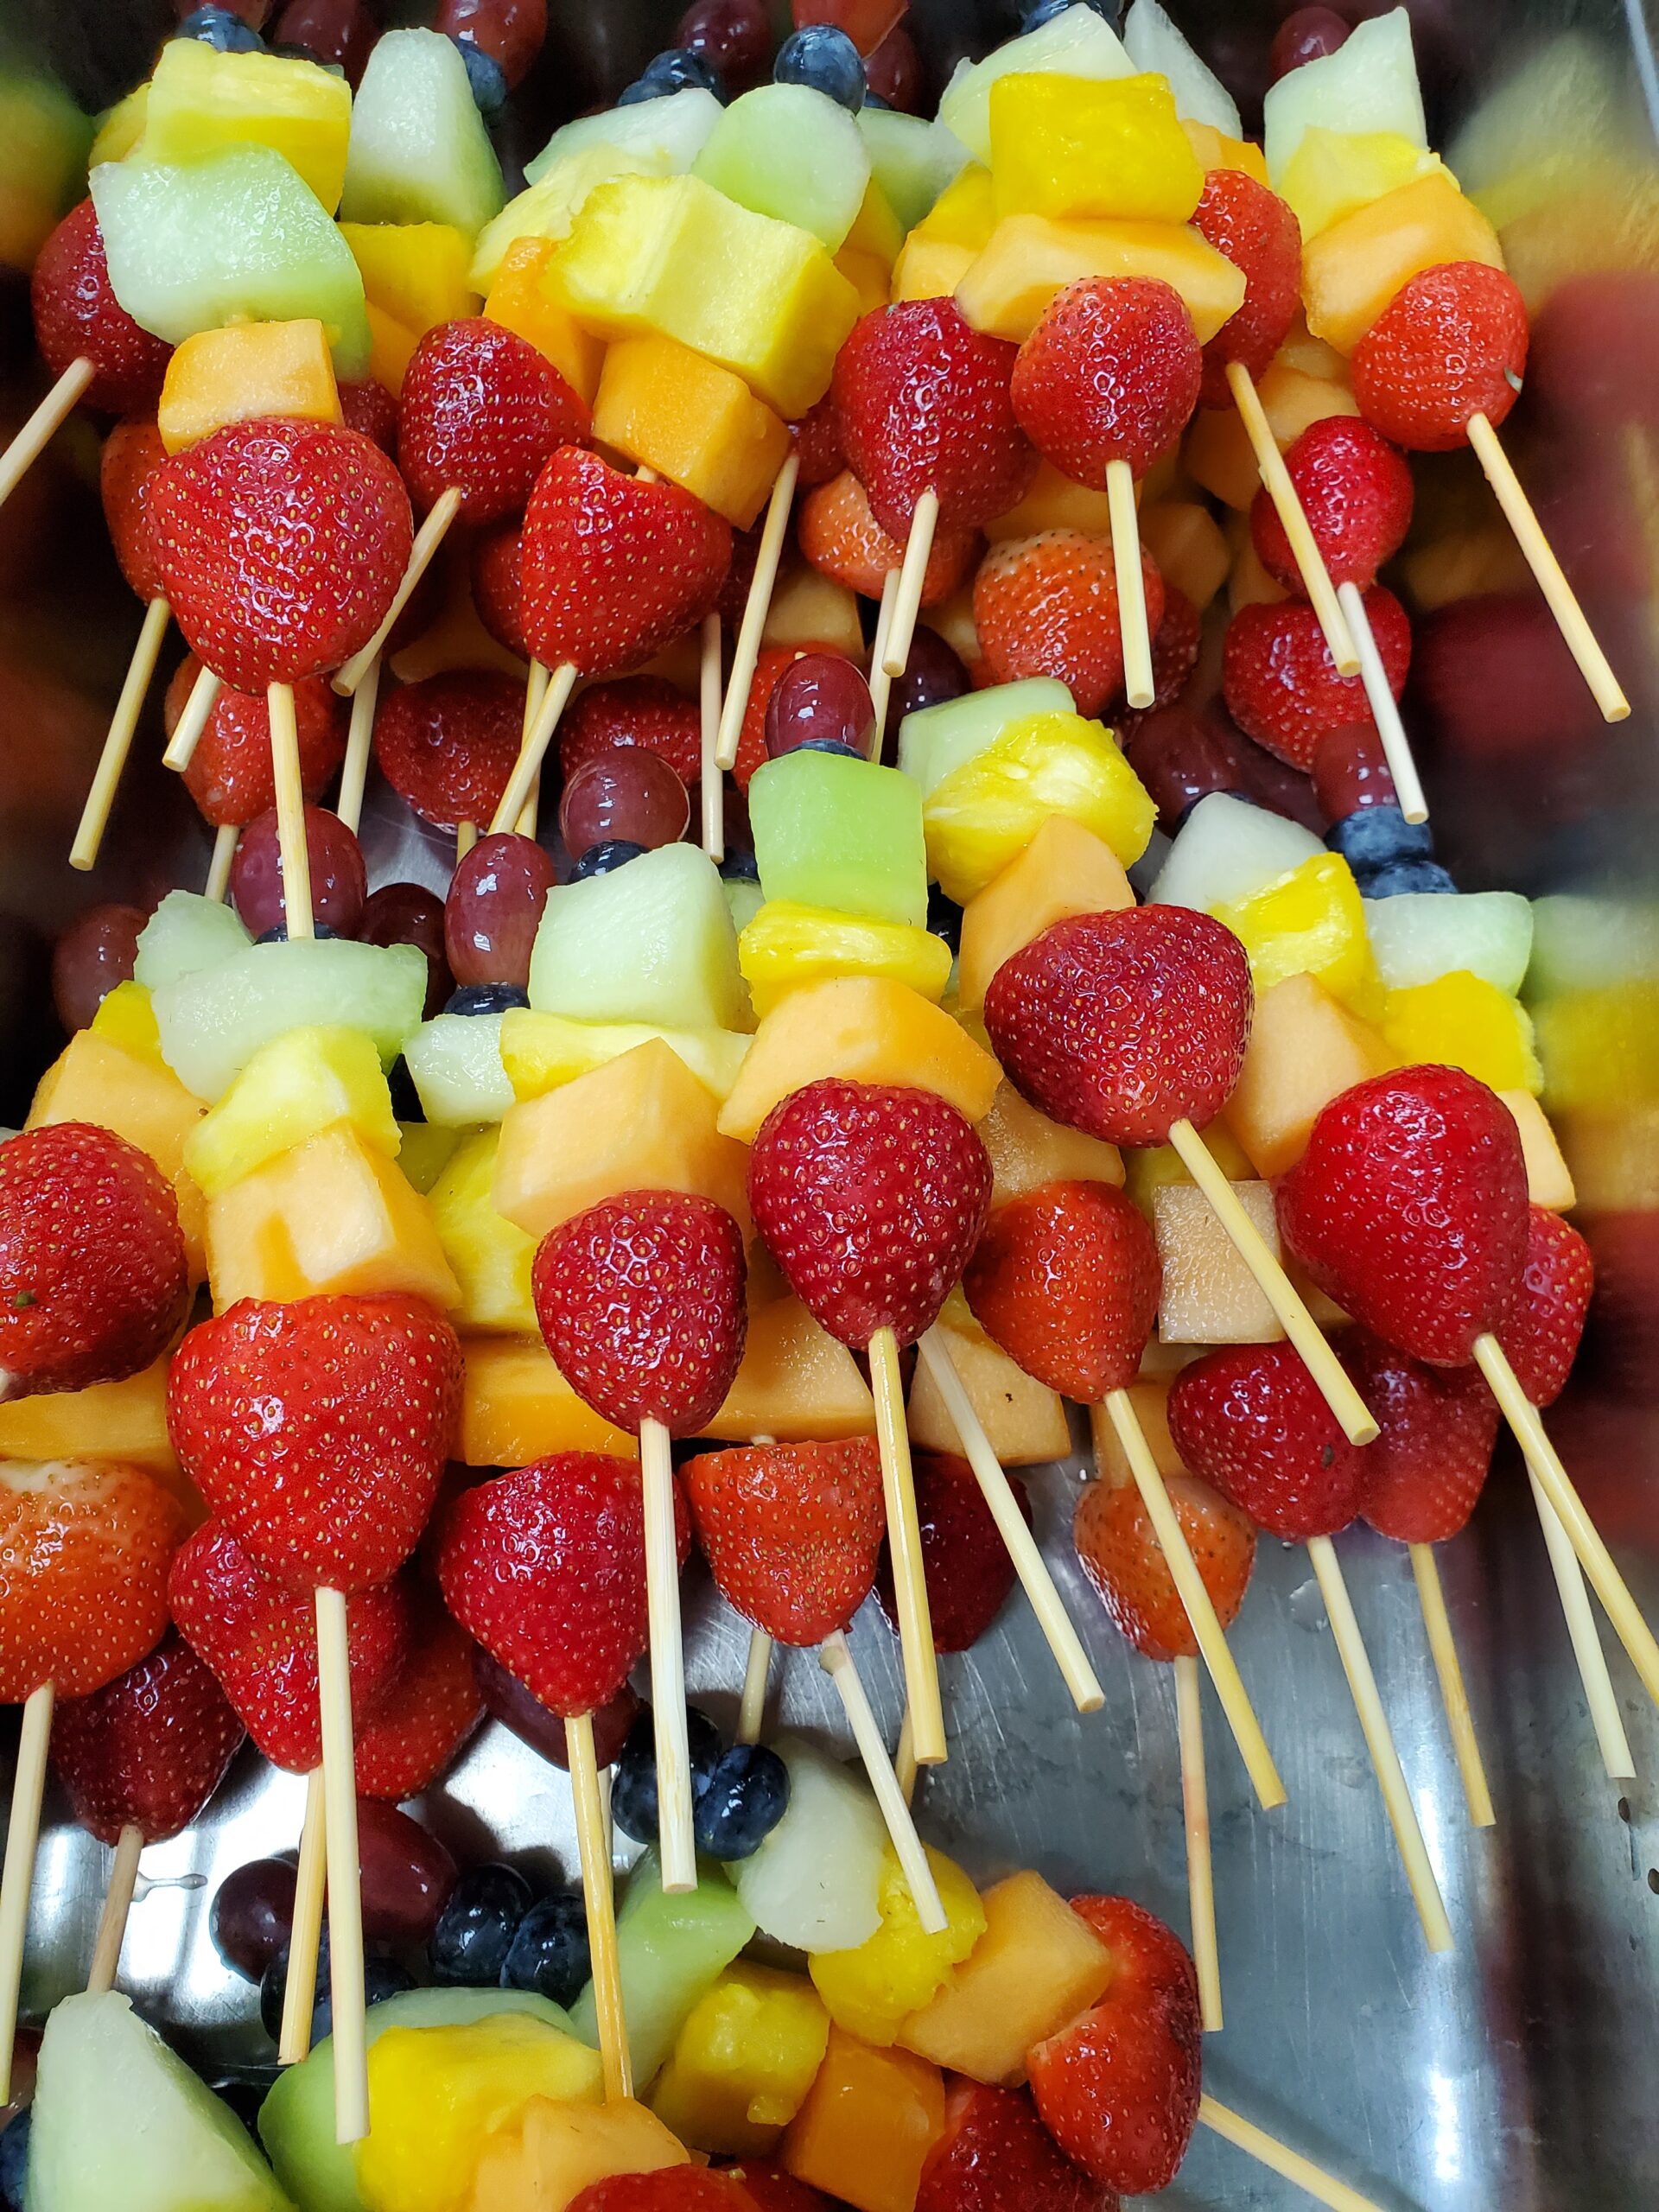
x,y
1304,1052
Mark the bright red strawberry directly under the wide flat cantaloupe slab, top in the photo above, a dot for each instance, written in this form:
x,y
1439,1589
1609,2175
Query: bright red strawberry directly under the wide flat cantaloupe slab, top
x,y
1112,373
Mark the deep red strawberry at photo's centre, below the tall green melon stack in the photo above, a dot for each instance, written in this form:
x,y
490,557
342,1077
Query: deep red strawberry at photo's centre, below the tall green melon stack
x,y
870,1198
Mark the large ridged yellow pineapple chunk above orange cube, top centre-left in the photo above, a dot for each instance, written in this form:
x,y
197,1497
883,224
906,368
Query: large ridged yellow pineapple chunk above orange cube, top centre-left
x,y
678,258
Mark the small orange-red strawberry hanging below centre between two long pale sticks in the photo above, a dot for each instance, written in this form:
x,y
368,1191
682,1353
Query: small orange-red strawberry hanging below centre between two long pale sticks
x,y
791,1532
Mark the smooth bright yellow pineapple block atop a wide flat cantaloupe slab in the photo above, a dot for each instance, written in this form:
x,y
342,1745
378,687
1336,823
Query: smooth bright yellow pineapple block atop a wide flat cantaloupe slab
x,y
1087,149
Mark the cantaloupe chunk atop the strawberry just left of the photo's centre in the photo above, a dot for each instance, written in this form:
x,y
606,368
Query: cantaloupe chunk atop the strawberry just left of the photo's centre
x,y
640,1123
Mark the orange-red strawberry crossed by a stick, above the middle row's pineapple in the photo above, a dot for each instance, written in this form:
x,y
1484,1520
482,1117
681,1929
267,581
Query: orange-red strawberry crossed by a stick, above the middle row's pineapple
x,y
1047,607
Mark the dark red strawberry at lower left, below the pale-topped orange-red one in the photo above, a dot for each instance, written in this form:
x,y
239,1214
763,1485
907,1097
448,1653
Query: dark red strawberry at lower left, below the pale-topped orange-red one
x,y
149,1749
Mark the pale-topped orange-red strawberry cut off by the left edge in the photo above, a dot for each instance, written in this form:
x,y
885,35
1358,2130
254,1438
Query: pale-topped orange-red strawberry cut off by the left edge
x,y
83,1574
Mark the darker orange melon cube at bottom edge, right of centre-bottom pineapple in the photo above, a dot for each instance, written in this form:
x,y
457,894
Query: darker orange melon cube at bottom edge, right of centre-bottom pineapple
x,y
866,2127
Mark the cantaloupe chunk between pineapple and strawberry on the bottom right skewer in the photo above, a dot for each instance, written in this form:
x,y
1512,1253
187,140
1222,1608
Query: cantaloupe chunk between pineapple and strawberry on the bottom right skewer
x,y
1034,1970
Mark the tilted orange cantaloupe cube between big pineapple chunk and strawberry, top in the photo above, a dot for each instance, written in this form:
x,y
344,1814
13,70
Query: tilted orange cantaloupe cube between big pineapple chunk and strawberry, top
x,y
691,421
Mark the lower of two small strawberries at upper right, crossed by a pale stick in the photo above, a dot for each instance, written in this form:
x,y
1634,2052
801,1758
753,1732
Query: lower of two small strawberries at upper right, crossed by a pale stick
x,y
1280,678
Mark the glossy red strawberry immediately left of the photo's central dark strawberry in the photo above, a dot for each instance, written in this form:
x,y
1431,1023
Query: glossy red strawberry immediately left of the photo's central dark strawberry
x,y
640,1302
